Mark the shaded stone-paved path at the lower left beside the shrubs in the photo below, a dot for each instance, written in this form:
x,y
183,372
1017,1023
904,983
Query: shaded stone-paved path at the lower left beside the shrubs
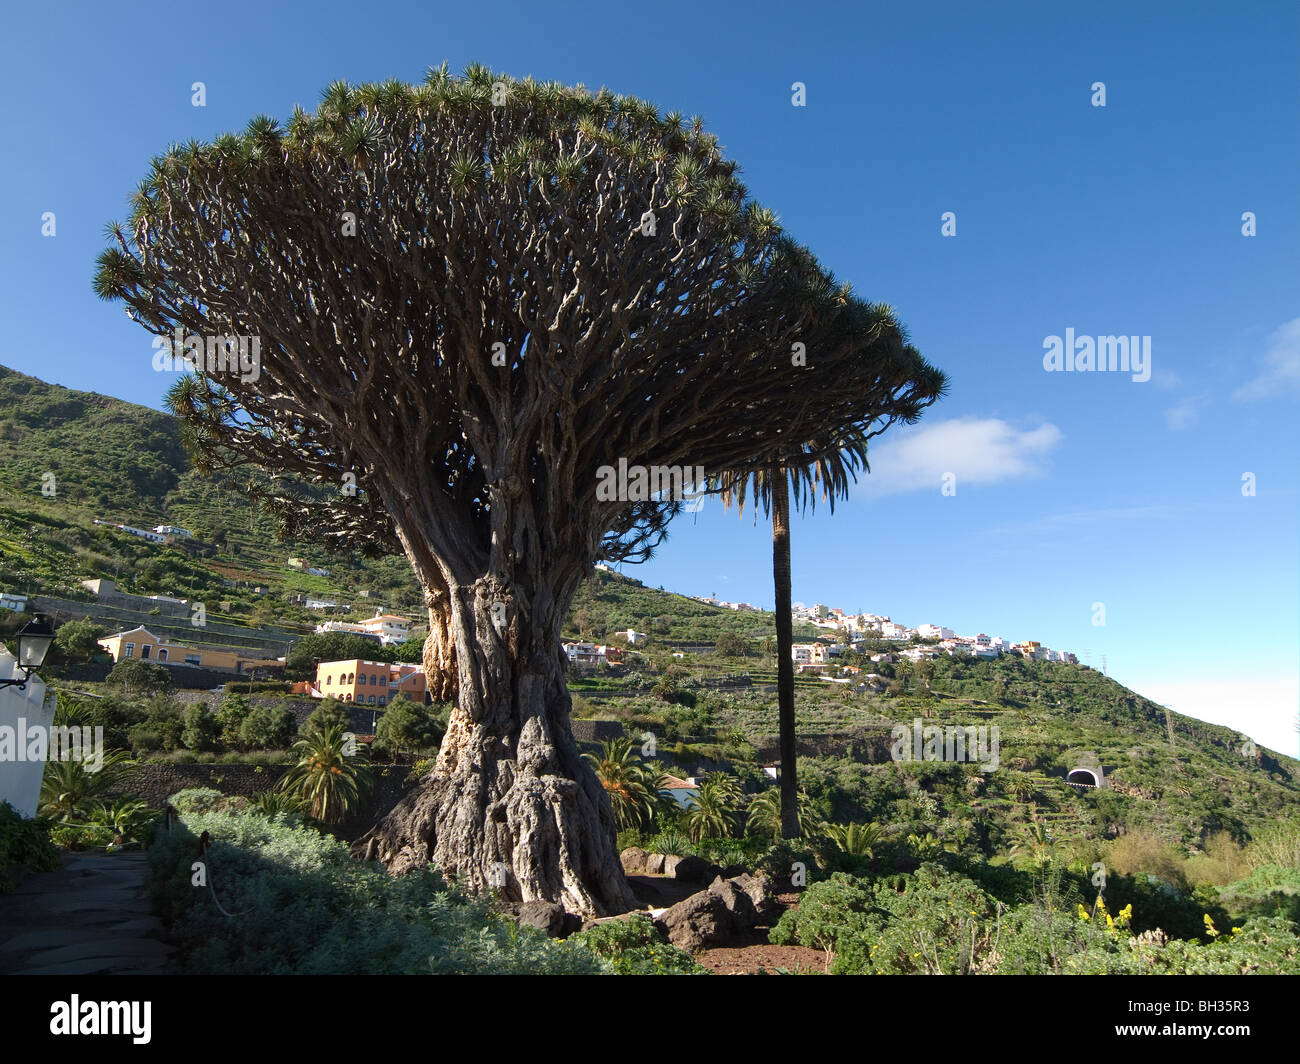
x,y
86,919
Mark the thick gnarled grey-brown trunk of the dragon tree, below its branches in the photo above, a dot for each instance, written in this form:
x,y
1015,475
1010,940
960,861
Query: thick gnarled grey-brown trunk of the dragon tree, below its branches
x,y
510,806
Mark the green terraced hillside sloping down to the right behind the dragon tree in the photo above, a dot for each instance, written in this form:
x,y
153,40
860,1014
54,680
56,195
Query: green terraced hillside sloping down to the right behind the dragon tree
x,y
122,462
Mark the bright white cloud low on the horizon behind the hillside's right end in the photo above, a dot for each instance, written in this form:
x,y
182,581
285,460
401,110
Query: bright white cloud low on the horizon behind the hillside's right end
x,y
1264,710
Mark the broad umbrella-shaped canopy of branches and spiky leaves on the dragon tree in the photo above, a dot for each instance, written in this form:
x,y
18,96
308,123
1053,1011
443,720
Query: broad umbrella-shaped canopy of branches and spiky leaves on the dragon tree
x,y
384,245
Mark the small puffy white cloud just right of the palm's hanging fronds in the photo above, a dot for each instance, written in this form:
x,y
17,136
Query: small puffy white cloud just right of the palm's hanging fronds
x,y
977,451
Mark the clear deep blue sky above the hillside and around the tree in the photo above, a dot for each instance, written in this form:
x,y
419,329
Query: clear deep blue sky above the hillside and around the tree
x,y
1126,219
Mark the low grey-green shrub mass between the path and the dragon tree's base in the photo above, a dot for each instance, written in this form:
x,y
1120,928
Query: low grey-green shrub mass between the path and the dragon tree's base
x,y
301,905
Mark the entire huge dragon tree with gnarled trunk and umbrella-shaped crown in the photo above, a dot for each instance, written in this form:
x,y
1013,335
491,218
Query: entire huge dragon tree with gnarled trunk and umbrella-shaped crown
x,y
460,301
